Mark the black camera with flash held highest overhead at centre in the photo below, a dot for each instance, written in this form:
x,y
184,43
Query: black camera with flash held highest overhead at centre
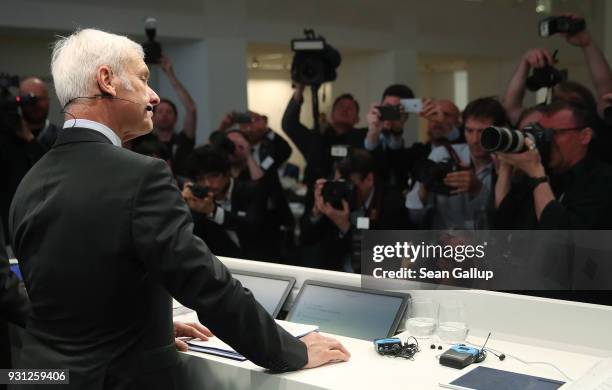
x,y
315,61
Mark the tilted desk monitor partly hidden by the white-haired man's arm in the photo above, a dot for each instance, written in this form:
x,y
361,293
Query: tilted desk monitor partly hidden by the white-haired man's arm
x,y
271,291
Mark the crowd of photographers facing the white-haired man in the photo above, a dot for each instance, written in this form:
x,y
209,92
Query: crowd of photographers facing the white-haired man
x,y
367,178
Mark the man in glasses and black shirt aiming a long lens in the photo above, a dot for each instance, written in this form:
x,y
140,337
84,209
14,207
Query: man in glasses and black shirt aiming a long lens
x,y
571,190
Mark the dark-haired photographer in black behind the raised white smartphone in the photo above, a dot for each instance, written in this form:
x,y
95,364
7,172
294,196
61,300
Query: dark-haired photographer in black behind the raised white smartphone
x,y
384,138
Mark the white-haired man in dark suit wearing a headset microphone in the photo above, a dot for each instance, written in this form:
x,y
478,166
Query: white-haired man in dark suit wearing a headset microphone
x,y
105,239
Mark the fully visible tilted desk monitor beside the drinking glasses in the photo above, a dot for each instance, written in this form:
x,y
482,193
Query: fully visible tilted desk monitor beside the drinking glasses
x,y
349,311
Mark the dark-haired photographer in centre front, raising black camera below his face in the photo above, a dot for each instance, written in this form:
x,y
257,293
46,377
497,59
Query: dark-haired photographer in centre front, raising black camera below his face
x,y
341,209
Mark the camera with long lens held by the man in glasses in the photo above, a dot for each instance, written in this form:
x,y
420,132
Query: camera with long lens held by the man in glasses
x,y
501,139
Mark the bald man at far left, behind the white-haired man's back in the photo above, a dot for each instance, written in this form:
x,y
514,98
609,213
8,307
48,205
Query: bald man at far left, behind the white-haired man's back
x,y
34,114
